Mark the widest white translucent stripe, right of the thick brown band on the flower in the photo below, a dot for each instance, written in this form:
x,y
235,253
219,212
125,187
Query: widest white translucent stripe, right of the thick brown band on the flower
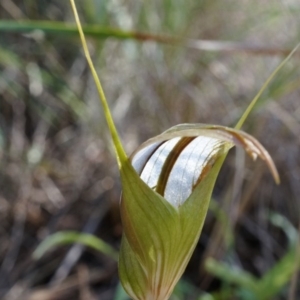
x,y
188,167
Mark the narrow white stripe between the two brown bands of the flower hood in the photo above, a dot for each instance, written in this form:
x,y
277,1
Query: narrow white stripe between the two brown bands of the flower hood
x,y
152,170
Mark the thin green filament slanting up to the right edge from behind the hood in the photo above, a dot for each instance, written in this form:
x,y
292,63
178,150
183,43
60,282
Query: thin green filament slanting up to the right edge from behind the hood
x,y
254,101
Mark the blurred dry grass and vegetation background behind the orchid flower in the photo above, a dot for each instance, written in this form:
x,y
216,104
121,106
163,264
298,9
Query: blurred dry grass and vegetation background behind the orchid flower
x,y
57,168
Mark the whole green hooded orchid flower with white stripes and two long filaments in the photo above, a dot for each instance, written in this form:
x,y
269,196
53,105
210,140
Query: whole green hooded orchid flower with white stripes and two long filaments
x,y
167,185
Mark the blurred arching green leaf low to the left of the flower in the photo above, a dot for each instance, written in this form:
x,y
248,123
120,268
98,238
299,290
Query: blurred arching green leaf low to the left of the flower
x,y
71,237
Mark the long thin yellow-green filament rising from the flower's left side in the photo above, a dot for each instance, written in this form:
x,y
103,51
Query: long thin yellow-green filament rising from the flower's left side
x,y
120,152
